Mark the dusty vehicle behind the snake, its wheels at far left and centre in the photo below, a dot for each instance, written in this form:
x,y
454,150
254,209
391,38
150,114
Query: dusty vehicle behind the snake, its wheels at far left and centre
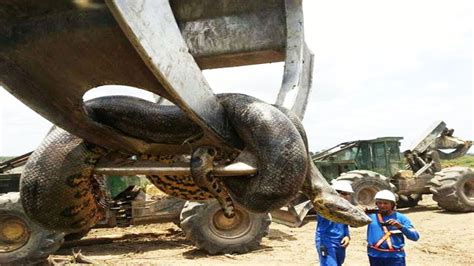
x,y
21,238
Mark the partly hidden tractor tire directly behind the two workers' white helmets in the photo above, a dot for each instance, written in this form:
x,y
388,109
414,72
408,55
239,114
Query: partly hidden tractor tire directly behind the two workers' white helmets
x,y
365,185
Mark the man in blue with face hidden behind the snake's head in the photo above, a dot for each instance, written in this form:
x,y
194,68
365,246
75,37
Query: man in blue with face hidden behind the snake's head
x,y
333,238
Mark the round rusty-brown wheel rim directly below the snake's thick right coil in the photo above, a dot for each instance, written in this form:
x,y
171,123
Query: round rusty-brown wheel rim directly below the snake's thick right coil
x,y
230,228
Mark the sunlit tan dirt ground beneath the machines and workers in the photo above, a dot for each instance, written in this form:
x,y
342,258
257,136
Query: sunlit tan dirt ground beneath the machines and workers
x,y
445,239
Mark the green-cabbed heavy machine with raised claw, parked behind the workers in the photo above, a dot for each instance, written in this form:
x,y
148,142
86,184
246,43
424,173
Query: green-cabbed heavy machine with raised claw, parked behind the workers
x,y
373,165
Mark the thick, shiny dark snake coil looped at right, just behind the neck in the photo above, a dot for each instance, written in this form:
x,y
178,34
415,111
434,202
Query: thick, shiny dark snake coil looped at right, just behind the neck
x,y
282,159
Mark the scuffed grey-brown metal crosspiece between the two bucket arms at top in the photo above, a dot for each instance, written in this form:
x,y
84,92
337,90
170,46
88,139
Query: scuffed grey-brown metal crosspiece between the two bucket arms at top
x,y
232,32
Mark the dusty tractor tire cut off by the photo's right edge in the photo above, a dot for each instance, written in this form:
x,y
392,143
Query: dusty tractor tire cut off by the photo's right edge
x,y
453,189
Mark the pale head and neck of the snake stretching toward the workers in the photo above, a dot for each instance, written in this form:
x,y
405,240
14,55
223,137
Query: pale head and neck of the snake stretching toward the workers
x,y
329,204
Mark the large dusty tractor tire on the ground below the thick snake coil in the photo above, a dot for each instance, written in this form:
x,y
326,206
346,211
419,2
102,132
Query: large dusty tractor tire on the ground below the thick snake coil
x,y
207,227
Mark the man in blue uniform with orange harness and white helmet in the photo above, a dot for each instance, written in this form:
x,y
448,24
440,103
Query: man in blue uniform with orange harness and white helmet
x,y
385,234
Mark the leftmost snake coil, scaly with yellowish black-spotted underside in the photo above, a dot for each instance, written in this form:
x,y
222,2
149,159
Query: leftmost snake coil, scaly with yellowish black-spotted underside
x,y
57,186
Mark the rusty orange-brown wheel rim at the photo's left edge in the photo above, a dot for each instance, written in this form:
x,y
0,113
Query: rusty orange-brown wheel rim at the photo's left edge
x,y
14,233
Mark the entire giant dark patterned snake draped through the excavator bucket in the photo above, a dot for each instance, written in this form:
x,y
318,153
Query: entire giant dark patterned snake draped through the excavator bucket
x,y
59,191
